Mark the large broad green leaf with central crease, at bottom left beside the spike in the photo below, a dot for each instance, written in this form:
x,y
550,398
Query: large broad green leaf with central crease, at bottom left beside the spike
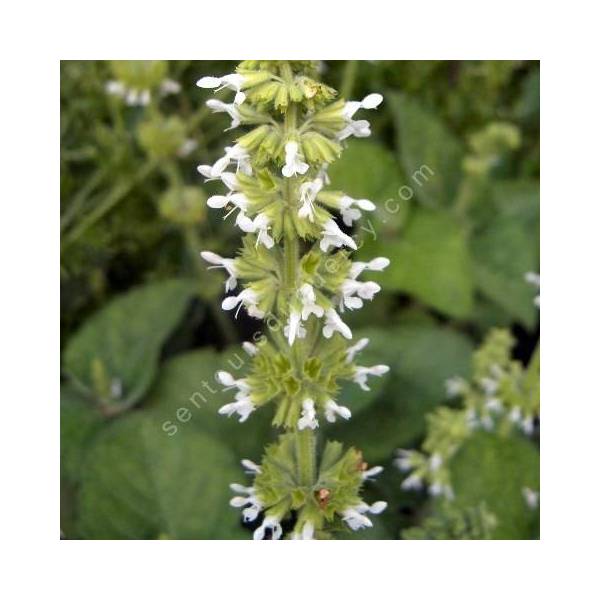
x,y
139,483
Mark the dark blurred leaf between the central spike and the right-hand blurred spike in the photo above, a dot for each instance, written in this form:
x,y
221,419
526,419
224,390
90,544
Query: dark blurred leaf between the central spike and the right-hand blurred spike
x,y
421,358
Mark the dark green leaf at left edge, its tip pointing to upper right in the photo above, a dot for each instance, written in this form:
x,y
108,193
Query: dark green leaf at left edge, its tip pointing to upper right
x,y
113,357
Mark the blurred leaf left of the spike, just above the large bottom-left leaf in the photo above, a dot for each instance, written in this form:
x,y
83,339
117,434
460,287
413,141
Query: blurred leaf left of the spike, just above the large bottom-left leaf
x,y
187,397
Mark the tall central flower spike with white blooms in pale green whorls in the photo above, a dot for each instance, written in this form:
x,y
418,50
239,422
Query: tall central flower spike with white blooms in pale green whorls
x,y
294,271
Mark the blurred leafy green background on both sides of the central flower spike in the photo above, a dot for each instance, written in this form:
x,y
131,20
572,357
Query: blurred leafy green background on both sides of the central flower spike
x,y
453,165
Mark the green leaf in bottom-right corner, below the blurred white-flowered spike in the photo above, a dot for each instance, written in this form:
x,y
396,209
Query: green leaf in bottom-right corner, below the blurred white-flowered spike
x,y
494,470
